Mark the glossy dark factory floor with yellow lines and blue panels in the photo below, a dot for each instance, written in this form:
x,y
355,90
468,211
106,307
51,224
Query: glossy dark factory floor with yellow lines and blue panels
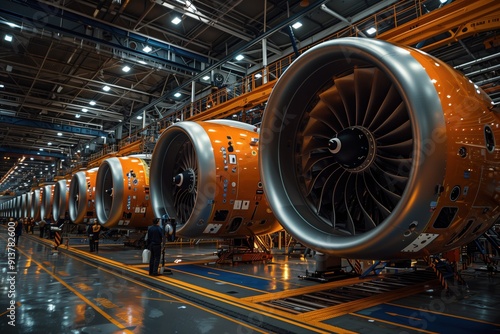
x,y
75,291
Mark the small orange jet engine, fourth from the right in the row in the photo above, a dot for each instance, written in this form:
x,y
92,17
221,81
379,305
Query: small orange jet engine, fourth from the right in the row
x,y
81,203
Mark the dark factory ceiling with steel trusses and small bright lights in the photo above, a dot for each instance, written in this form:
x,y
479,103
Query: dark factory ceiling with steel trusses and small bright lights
x,y
76,74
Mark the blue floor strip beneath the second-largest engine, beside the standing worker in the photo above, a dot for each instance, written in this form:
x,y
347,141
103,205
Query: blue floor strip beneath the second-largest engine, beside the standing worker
x,y
235,278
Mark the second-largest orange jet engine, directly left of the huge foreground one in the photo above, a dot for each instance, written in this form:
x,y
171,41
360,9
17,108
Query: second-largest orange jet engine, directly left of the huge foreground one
x,y
205,176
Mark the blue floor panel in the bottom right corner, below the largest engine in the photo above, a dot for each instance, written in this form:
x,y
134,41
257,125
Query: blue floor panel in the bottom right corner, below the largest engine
x,y
423,320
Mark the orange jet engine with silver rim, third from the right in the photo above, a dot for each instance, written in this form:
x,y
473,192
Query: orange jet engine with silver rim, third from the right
x,y
122,192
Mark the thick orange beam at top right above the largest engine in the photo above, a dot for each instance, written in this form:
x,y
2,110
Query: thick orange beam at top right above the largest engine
x,y
456,21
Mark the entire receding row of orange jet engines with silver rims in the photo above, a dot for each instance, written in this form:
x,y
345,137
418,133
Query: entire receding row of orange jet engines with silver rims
x,y
367,150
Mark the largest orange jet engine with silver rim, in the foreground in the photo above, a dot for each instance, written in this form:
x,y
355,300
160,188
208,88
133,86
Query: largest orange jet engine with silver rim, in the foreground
x,y
371,150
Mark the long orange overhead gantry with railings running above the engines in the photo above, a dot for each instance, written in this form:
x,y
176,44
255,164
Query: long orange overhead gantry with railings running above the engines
x,y
406,22
